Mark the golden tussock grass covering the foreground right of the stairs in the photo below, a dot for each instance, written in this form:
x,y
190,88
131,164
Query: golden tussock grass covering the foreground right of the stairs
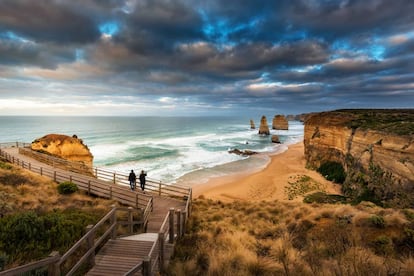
x,y
293,238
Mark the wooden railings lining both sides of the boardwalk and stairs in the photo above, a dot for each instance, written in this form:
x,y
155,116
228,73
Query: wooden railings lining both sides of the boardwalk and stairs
x,y
173,226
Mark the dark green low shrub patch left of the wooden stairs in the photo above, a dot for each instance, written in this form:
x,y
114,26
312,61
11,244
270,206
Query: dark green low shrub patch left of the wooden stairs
x,y
29,235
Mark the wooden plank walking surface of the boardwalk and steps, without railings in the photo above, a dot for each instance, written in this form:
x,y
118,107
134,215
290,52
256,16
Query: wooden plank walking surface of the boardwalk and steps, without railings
x,y
120,255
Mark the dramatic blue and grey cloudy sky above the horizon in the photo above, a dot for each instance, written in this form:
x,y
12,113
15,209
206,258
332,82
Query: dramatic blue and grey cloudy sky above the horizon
x,y
204,57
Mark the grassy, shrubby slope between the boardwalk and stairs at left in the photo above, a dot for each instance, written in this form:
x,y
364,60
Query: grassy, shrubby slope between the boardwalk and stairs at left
x,y
35,219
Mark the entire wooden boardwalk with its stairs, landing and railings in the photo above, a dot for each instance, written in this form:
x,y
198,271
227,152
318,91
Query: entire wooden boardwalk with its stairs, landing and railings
x,y
135,238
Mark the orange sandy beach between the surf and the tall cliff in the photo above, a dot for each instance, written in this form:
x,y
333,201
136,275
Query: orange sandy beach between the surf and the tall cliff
x,y
267,184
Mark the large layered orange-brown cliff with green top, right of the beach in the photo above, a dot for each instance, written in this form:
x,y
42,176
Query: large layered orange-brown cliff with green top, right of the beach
x,y
375,148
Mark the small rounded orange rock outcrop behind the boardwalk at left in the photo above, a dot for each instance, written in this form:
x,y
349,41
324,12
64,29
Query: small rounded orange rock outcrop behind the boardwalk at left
x,y
63,146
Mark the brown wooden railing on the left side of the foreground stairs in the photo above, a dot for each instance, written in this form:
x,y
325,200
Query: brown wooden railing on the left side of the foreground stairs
x,y
84,249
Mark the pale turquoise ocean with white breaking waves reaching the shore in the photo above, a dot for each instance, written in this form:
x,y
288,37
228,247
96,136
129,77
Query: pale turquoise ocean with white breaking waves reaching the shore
x,y
185,150
